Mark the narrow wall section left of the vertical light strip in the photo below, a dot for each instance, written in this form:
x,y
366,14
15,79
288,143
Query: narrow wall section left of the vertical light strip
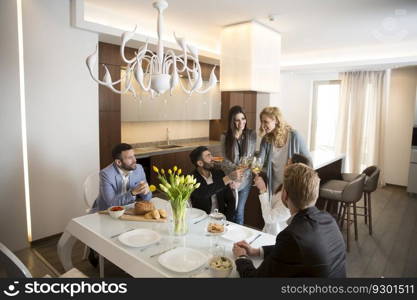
x,y
13,231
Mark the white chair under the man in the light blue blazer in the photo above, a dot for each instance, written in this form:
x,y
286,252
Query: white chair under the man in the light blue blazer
x,y
91,191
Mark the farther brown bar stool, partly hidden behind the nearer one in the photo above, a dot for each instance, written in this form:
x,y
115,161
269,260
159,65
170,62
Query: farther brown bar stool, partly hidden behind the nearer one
x,y
371,184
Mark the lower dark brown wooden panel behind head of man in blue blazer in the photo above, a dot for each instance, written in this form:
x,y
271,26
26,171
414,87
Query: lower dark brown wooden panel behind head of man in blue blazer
x,y
110,135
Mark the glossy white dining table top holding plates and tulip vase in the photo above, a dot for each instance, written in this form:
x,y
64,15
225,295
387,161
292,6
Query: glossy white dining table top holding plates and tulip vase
x,y
96,231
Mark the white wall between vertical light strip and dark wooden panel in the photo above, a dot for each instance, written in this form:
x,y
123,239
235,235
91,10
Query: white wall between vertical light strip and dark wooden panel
x,y
62,114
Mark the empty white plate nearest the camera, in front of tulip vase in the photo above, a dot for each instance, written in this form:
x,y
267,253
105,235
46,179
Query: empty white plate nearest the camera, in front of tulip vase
x,y
182,260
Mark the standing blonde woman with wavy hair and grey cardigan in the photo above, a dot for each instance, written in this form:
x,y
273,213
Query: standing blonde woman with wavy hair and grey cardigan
x,y
279,143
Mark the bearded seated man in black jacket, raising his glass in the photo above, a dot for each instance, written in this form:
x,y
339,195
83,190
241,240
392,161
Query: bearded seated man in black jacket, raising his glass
x,y
214,191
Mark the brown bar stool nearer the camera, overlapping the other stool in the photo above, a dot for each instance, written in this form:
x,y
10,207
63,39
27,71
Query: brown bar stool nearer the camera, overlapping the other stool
x,y
347,194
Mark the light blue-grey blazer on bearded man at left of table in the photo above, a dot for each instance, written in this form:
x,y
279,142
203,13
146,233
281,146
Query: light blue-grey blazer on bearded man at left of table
x,y
111,183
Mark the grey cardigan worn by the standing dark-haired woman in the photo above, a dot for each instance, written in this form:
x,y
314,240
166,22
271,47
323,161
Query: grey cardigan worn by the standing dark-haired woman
x,y
228,166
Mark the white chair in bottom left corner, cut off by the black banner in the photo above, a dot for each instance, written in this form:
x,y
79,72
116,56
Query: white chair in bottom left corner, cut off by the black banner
x,y
16,269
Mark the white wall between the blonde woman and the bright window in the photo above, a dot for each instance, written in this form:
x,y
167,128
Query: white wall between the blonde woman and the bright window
x,y
295,98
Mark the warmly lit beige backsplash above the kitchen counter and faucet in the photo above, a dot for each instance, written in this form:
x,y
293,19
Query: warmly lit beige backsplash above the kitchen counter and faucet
x,y
156,132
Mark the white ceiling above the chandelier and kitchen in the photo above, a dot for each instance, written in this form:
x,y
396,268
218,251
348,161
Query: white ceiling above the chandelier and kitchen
x,y
307,26
